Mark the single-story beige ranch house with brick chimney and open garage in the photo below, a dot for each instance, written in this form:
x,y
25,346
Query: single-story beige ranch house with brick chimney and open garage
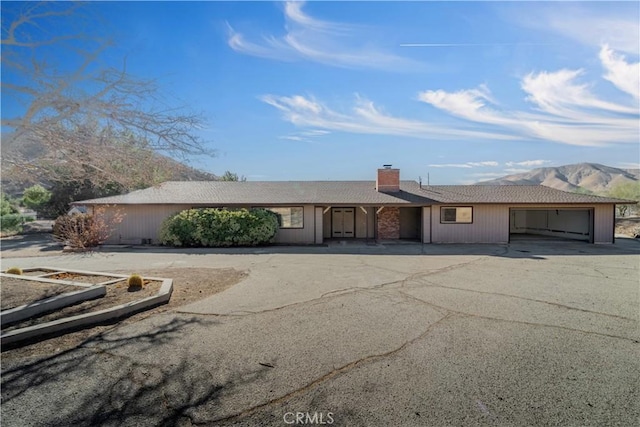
x,y
312,212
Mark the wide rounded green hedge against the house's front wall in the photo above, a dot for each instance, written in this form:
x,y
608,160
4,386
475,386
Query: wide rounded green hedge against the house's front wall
x,y
210,227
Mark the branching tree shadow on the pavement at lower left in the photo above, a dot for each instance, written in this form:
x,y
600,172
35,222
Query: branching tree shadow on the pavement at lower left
x,y
104,381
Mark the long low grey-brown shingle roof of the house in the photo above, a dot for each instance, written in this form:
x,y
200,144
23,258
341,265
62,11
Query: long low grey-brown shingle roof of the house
x,y
340,193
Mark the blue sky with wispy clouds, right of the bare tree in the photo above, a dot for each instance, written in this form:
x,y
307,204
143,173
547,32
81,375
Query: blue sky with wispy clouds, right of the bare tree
x,y
462,91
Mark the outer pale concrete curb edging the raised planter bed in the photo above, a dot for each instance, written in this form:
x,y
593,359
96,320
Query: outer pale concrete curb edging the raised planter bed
x,y
88,319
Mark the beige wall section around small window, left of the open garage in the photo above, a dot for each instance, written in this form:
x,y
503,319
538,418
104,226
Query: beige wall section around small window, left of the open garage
x,y
490,225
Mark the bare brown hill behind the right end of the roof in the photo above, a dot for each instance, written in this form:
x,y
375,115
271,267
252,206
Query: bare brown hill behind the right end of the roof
x,y
590,176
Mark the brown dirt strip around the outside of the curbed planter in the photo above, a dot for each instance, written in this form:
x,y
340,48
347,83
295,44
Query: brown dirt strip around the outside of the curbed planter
x,y
189,285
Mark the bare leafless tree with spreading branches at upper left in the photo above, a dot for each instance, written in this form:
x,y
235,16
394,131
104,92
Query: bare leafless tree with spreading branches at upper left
x,y
93,120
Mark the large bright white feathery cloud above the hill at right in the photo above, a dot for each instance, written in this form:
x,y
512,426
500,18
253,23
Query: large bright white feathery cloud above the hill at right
x,y
563,108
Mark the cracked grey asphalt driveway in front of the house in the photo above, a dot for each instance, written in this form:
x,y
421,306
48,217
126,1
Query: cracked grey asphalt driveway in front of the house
x,y
407,335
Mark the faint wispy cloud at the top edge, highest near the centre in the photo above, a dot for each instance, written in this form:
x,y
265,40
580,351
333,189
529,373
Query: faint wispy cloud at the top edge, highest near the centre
x,y
311,39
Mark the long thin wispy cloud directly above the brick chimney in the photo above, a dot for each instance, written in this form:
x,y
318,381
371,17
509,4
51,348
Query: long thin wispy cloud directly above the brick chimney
x,y
366,118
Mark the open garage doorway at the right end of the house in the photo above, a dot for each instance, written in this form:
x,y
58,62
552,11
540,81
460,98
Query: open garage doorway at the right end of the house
x,y
561,223
